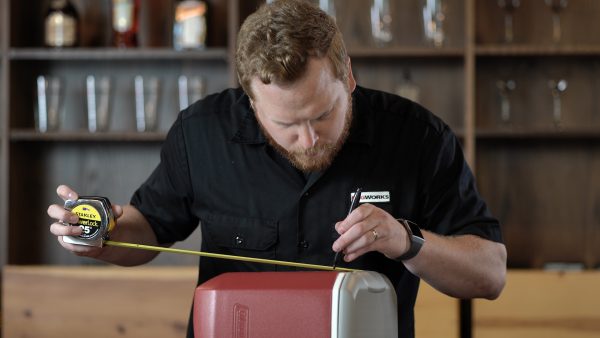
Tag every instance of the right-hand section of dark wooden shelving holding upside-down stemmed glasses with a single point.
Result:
(540, 177)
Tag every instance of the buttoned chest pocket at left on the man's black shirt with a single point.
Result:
(237, 235)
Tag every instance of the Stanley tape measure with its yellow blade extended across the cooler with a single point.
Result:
(97, 220)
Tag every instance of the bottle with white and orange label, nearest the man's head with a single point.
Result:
(189, 28)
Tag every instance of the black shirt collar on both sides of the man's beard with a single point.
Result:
(248, 131)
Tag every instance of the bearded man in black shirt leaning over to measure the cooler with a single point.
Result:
(268, 171)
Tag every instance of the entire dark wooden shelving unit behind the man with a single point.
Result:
(541, 179)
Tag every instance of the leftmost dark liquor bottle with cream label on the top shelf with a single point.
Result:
(61, 26)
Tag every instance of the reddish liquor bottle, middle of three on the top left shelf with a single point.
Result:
(125, 23)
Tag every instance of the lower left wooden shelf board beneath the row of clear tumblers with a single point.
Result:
(28, 135)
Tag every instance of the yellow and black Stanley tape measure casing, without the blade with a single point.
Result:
(95, 219)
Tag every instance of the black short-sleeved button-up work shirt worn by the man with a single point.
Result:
(218, 169)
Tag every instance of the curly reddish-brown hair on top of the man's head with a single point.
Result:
(276, 42)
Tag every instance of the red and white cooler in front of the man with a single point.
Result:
(296, 304)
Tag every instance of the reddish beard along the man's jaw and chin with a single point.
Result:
(318, 157)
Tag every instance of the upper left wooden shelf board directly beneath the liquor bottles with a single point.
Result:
(117, 54)
